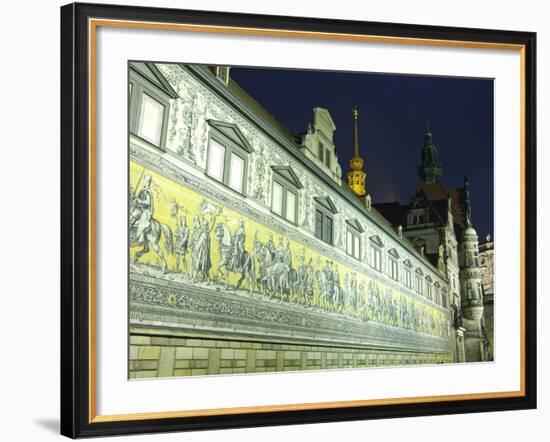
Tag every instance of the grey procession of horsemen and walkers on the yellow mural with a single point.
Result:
(268, 269)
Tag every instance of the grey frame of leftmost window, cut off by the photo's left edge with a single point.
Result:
(139, 85)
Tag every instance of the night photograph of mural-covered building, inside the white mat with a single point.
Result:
(300, 219)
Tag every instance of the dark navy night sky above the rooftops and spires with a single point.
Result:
(393, 110)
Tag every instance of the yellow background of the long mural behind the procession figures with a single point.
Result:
(303, 282)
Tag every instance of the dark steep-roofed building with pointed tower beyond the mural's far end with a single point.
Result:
(438, 220)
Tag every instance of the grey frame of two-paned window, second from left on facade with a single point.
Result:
(231, 148)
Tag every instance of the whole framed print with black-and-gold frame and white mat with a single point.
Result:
(278, 220)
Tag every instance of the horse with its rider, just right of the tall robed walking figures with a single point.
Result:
(245, 266)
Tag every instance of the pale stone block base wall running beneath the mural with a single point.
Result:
(161, 356)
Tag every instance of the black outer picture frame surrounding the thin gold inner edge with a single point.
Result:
(75, 220)
